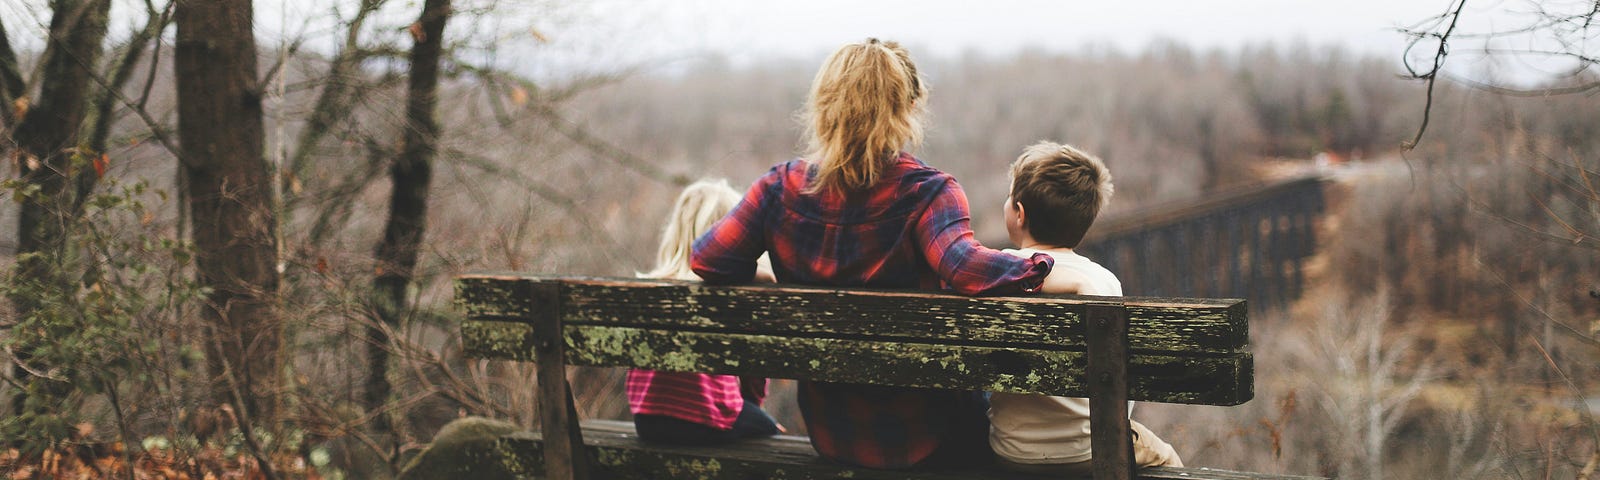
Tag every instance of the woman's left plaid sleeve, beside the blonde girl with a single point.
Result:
(727, 254)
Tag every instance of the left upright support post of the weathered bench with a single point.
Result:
(564, 441)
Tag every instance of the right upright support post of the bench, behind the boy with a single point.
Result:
(1111, 434)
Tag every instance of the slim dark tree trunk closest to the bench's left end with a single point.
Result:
(407, 222)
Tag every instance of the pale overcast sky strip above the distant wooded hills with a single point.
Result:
(751, 31)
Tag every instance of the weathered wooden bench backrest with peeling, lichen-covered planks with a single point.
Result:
(1180, 351)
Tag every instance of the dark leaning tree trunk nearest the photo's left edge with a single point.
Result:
(46, 142)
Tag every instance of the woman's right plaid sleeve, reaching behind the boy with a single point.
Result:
(946, 239)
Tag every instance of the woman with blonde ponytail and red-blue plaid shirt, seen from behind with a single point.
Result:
(858, 210)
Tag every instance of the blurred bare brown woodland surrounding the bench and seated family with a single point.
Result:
(1450, 326)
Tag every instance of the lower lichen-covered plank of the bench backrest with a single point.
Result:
(1156, 378)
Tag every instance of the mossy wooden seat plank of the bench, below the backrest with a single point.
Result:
(617, 454)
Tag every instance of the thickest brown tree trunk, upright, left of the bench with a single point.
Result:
(230, 201)
